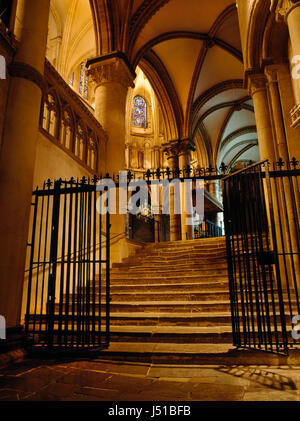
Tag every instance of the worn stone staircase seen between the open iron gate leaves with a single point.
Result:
(171, 298)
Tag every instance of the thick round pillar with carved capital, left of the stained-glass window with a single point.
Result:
(112, 78)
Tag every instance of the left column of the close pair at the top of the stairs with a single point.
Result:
(171, 150)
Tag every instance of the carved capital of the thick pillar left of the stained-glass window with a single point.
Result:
(112, 68)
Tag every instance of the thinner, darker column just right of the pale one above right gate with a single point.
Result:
(277, 117)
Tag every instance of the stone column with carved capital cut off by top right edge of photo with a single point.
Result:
(289, 11)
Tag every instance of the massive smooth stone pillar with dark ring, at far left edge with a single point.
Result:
(17, 159)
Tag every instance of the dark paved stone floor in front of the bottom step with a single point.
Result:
(99, 380)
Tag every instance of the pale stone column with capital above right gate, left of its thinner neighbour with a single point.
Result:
(258, 91)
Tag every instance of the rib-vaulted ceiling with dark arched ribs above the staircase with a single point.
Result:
(191, 53)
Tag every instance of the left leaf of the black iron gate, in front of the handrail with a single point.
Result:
(68, 281)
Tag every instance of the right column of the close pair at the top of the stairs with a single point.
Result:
(187, 231)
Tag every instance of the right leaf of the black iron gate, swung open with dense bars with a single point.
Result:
(261, 210)
